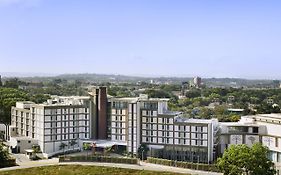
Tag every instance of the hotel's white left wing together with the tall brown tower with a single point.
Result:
(59, 120)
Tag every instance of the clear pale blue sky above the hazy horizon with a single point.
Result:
(208, 38)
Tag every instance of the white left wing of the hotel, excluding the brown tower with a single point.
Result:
(58, 121)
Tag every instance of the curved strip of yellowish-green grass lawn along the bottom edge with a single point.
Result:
(80, 170)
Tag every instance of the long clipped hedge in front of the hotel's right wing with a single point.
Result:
(181, 164)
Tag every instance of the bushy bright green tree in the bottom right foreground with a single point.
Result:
(241, 159)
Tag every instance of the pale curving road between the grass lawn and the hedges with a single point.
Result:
(142, 166)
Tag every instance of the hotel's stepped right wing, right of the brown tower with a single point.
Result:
(146, 120)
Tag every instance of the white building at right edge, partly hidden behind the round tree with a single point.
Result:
(263, 128)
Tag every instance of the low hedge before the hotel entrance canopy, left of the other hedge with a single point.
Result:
(107, 159)
